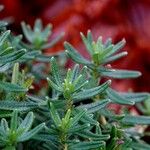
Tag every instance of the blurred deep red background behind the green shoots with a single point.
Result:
(129, 19)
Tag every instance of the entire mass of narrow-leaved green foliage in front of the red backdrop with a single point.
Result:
(72, 111)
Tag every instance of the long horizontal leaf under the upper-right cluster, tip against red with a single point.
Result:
(119, 74)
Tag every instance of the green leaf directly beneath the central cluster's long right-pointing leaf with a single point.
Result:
(95, 106)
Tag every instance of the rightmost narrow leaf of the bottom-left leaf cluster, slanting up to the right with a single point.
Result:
(26, 136)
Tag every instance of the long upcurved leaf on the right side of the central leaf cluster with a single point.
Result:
(88, 93)
